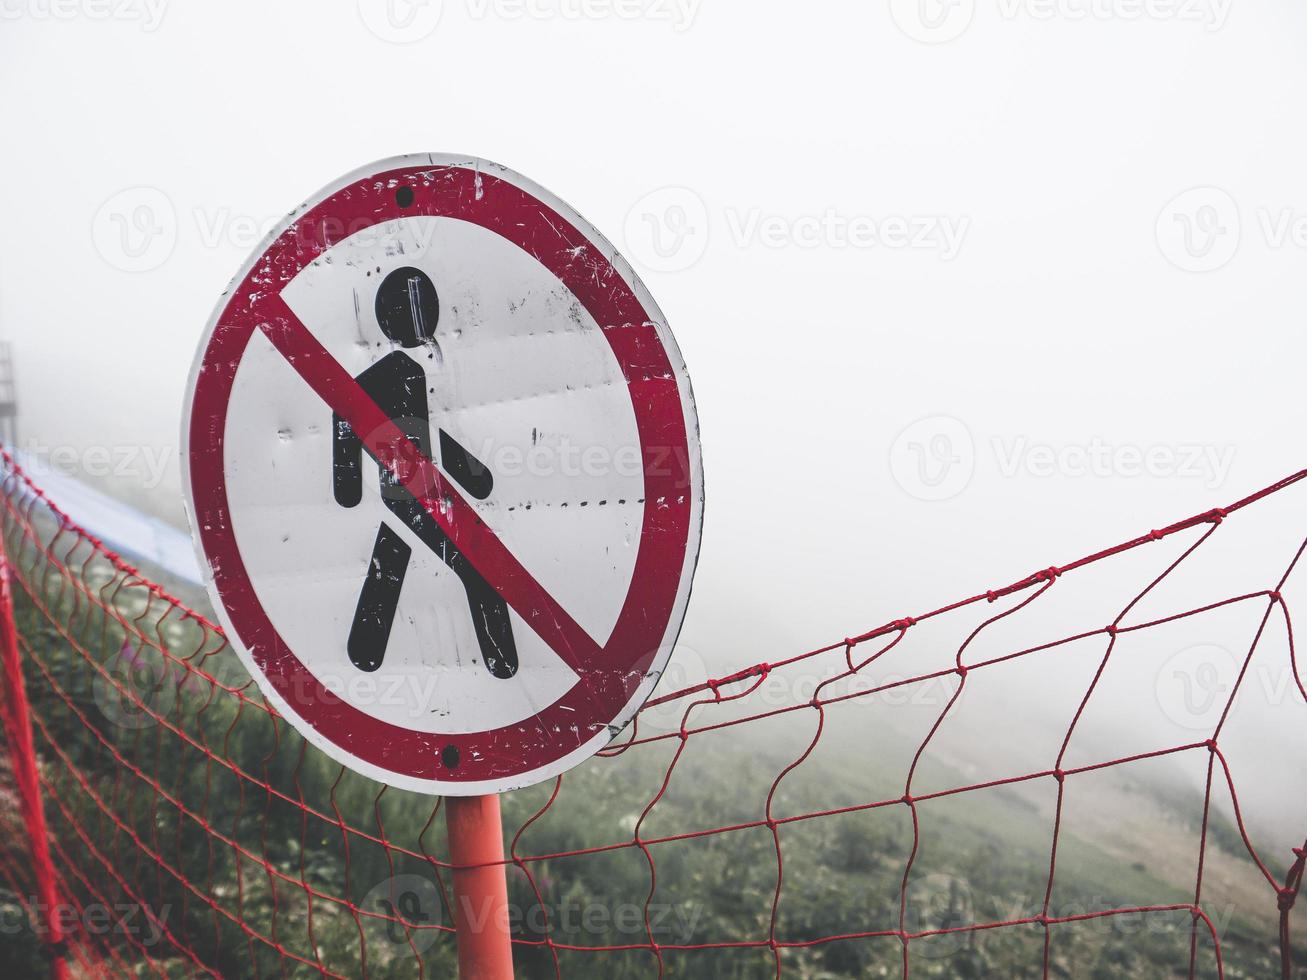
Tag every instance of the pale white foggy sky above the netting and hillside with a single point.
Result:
(1065, 235)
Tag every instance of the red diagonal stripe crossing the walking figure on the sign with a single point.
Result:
(466, 529)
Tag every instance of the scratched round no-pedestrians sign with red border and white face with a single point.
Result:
(442, 465)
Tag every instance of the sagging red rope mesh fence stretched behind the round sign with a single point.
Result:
(194, 833)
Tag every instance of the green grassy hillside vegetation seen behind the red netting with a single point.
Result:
(982, 858)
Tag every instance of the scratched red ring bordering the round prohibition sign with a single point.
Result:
(598, 700)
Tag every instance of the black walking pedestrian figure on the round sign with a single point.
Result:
(407, 310)
